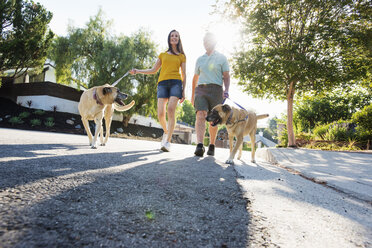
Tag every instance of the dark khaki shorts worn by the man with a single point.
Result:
(207, 96)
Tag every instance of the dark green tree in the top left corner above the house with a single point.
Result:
(24, 35)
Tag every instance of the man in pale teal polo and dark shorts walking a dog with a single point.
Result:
(211, 74)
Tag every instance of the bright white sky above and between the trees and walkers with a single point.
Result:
(192, 18)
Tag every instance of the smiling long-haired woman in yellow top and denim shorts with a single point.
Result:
(171, 84)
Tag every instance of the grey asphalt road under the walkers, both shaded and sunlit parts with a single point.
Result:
(56, 191)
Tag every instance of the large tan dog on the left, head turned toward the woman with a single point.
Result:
(99, 102)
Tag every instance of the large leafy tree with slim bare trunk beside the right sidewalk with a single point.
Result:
(293, 47)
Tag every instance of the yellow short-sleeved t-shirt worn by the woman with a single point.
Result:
(170, 66)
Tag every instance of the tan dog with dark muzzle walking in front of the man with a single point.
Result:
(239, 123)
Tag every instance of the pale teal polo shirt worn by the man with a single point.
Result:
(210, 68)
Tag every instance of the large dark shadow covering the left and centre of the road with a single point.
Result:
(129, 199)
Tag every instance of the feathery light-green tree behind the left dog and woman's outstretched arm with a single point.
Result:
(92, 56)
